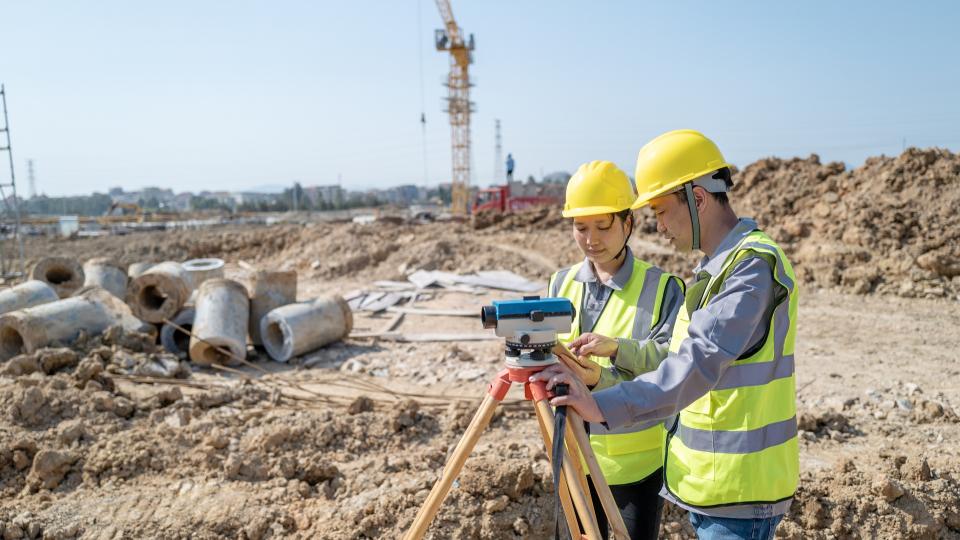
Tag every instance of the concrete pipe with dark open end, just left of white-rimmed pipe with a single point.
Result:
(160, 292)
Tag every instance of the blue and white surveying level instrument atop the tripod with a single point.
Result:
(529, 327)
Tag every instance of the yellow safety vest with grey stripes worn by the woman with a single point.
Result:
(633, 452)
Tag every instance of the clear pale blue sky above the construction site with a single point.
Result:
(244, 95)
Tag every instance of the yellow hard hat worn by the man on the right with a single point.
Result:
(673, 159)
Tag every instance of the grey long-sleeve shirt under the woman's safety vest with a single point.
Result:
(634, 355)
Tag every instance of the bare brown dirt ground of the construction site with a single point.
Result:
(346, 441)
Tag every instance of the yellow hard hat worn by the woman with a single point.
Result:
(598, 187)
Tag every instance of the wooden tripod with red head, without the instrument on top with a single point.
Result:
(574, 492)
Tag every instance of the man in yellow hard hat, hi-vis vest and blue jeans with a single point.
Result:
(731, 456)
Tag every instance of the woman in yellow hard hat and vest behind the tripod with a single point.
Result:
(625, 314)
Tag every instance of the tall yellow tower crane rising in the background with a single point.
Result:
(450, 38)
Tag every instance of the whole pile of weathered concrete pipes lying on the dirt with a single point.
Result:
(213, 318)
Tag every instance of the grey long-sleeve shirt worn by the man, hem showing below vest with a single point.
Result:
(732, 322)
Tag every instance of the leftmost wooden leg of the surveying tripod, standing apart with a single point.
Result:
(452, 469)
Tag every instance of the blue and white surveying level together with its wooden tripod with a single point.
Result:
(529, 328)
